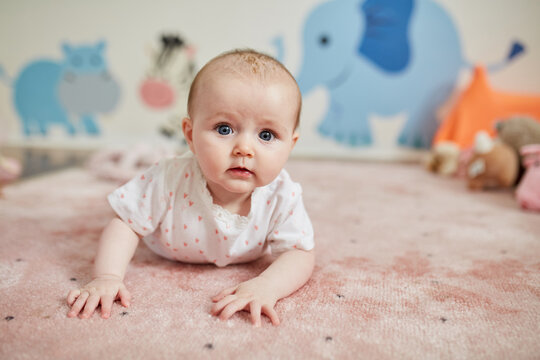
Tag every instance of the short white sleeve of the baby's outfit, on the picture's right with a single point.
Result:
(292, 228)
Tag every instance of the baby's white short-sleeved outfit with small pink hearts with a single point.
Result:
(171, 207)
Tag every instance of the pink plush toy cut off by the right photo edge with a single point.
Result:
(528, 190)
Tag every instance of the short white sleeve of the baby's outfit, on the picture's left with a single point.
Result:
(142, 202)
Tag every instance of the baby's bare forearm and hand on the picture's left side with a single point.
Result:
(116, 248)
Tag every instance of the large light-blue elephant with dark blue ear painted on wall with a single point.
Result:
(382, 57)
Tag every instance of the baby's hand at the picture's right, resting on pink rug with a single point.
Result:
(255, 296)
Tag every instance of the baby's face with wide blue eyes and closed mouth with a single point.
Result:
(242, 131)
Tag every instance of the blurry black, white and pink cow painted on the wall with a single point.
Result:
(168, 80)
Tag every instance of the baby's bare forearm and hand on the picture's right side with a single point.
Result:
(289, 272)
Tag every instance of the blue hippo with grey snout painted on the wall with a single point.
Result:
(48, 92)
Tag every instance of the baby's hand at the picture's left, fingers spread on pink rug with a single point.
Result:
(103, 289)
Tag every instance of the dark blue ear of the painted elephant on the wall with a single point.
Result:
(385, 41)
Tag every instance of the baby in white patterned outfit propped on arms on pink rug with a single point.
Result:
(227, 201)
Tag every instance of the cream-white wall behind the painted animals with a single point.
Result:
(31, 30)
